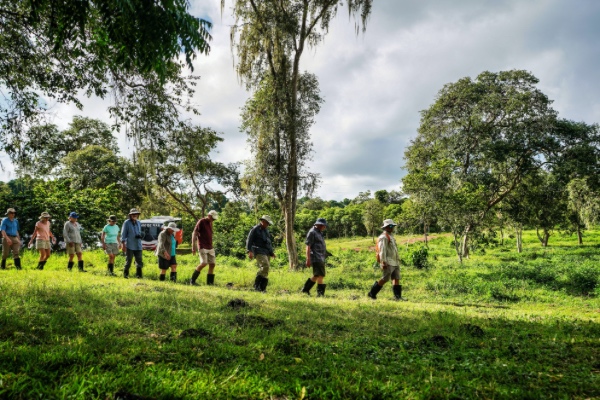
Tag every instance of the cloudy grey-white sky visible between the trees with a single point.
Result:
(375, 84)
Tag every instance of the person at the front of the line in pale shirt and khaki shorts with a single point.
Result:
(389, 259)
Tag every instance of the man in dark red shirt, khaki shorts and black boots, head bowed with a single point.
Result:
(202, 241)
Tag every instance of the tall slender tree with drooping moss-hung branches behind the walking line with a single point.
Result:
(270, 38)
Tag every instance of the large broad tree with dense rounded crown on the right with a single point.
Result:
(483, 135)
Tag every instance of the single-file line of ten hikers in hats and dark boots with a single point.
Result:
(258, 245)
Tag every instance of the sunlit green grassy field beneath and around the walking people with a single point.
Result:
(502, 325)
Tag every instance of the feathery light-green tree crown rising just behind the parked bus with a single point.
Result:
(183, 169)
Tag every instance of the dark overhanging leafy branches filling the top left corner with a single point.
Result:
(128, 49)
